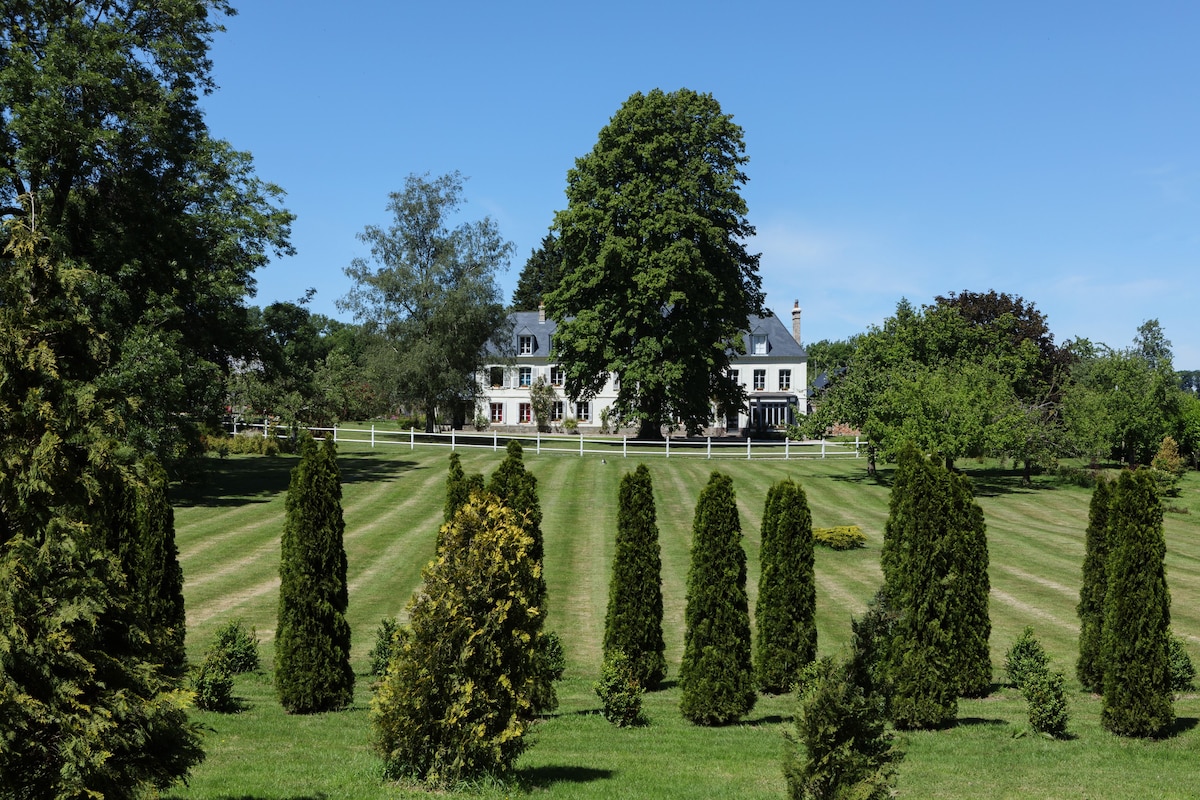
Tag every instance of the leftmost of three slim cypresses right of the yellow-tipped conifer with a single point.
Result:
(634, 621)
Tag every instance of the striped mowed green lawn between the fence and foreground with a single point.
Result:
(229, 532)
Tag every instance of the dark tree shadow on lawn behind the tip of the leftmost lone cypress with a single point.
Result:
(259, 479)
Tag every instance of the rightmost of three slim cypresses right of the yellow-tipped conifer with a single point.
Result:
(787, 609)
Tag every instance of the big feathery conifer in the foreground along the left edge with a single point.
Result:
(87, 709)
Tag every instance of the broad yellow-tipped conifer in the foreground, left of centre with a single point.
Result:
(459, 696)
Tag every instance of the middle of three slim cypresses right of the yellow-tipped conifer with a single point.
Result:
(717, 676)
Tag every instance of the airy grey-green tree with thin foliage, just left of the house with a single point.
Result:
(429, 293)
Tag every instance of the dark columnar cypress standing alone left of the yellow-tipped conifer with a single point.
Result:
(313, 642)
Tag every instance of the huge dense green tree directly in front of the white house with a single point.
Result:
(658, 281)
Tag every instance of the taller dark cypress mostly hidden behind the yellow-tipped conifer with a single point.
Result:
(518, 490)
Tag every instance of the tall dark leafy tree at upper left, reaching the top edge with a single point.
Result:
(101, 130)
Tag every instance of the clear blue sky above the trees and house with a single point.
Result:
(897, 149)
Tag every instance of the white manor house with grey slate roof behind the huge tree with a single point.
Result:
(773, 372)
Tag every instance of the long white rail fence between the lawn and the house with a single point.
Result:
(578, 444)
